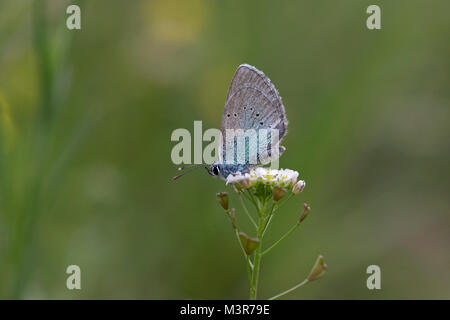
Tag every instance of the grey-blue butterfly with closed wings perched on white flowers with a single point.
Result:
(252, 103)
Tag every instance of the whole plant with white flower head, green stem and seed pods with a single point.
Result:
(264, 188)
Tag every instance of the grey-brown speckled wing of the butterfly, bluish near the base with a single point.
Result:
(253, 102)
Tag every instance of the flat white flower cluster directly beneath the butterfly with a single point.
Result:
(283, 178)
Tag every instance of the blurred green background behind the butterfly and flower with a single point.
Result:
(86, 118)
